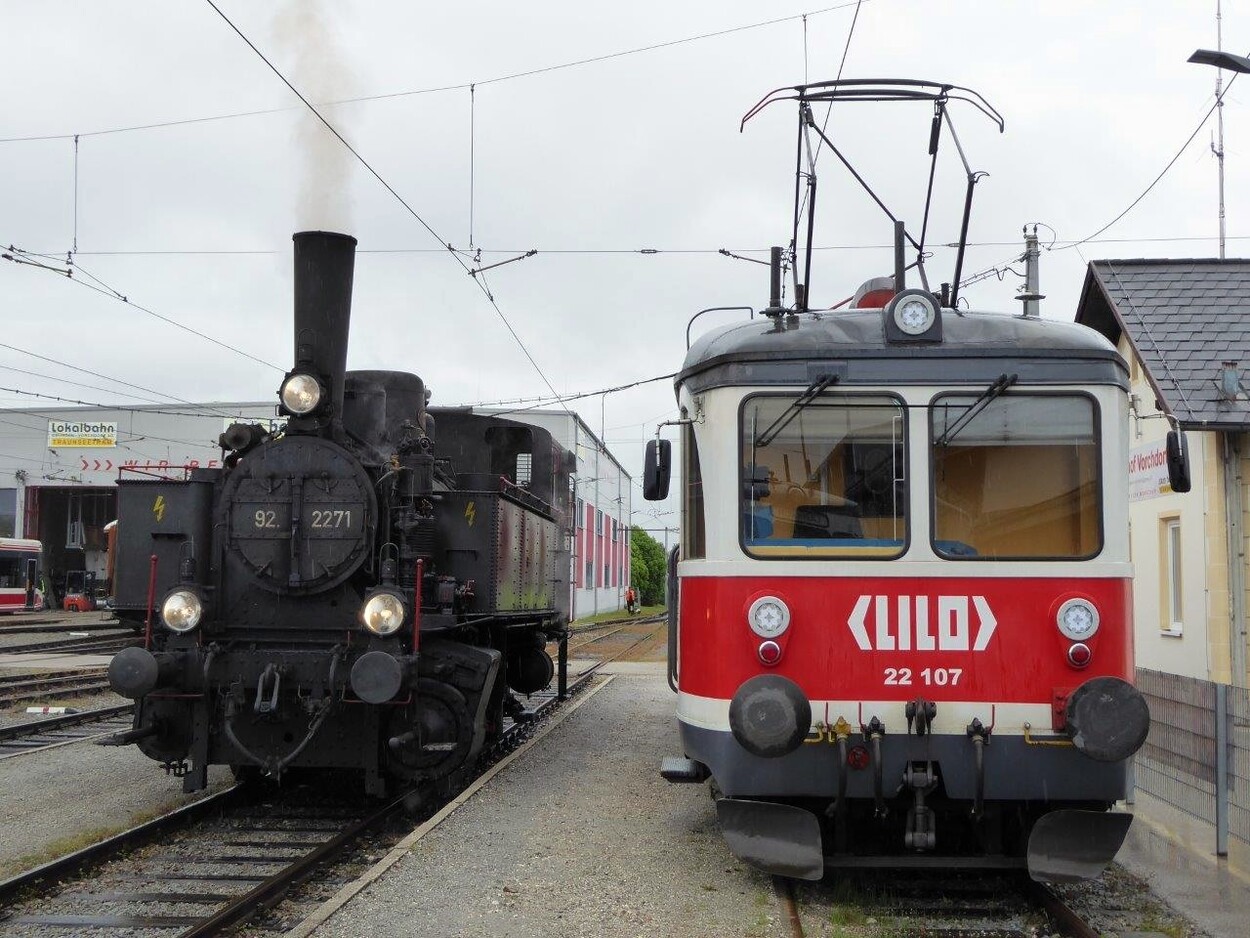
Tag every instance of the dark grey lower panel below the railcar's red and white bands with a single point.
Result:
(1014, 771)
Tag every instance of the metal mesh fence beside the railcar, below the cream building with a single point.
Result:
(1198, 755)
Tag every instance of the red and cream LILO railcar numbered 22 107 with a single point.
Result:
(906, 626)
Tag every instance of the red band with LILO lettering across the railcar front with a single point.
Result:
(889, 638)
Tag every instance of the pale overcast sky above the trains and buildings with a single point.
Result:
(588, 164)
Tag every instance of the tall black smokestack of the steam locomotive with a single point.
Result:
(324, 263)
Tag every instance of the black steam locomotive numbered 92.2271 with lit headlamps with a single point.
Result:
(367, 588)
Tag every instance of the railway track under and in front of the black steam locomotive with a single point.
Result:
(227, 859)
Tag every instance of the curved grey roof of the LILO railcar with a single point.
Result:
(977, 347)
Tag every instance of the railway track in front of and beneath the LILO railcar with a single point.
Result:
(936, 905)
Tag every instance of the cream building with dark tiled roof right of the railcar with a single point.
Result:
(1184, 328)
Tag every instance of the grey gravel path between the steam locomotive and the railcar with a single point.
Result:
(581, 837)
